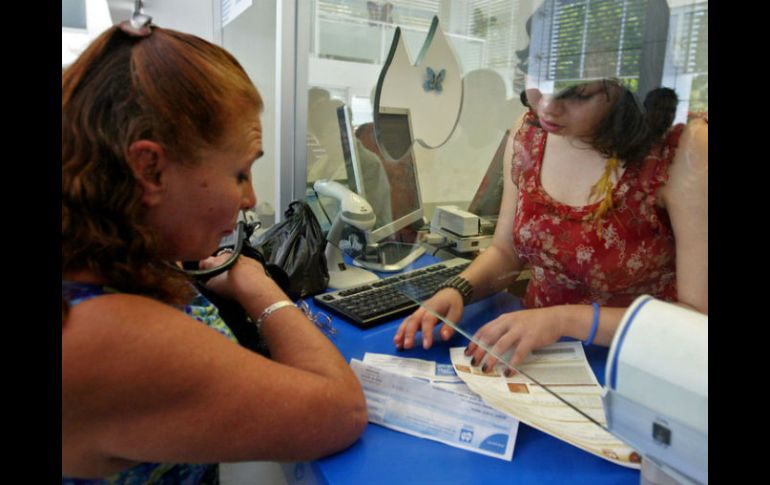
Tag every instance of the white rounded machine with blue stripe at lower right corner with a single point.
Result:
(656, 390)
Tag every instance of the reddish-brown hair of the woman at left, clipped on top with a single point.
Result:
(173, 88)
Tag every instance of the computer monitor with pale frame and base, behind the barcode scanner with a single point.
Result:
(390, 186)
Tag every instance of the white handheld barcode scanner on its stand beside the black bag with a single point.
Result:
(357, 212)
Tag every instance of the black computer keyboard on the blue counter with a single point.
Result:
(372, 304)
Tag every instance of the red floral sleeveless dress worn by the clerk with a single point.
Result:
(570, 262)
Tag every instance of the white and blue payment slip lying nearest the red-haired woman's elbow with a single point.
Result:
(446, 412)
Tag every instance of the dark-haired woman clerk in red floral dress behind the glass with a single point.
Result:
(592, 247)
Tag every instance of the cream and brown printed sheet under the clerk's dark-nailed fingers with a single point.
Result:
(563, 368)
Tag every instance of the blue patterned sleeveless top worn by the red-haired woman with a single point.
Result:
(200, 309)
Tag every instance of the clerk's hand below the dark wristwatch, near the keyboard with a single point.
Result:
(448, 303)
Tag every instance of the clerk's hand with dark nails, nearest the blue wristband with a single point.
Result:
(523, 330)
